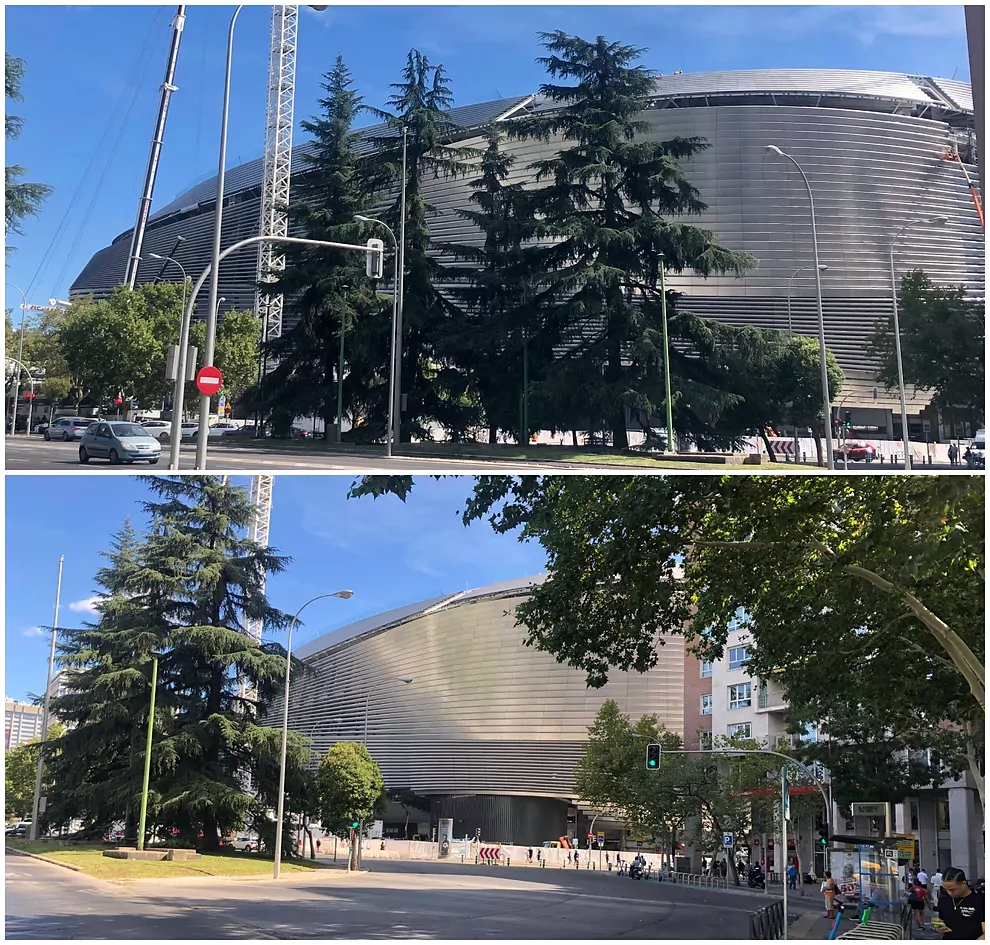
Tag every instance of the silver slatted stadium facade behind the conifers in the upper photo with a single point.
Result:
(871, 143)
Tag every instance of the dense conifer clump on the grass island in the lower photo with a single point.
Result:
(186, 590)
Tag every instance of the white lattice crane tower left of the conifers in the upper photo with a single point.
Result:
(278, 163)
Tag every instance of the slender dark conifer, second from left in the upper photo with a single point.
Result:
(435, 386)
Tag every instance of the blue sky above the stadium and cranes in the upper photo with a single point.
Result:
(90, 66)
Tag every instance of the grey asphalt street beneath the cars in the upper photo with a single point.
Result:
(23, 454)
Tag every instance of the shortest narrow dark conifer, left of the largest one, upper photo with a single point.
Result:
(497, 293)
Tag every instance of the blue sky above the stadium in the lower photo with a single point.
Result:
(387, 552)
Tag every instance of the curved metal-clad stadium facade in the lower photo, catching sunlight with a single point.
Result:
(484, 714)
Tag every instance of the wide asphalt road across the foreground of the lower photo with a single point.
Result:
(397, 899)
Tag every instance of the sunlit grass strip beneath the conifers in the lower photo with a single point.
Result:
(92, 862)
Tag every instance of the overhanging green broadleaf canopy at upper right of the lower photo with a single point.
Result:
(839, 581)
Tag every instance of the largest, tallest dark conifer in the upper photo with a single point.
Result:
(605, 209)
